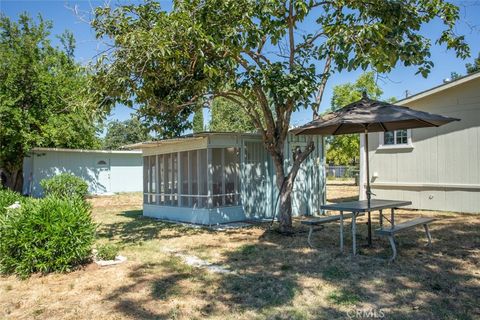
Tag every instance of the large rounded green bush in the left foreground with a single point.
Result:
(46, 235)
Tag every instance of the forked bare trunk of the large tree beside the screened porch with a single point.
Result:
(285, 185)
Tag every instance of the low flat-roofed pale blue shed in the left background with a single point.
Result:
(105, 171)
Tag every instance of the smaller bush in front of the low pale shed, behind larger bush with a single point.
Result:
(65, 185)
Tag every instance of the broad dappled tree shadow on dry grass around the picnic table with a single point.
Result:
(269, 273)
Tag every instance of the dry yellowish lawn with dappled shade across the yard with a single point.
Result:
(272, 276)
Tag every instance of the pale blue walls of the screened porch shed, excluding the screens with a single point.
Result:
(257, 180)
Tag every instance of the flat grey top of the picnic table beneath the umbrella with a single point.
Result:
(362, 205)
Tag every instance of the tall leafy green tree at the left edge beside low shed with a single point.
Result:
(41, 95)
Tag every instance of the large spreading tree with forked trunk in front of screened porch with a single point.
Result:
(270, 57)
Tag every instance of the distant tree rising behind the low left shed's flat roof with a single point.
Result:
(121, 133)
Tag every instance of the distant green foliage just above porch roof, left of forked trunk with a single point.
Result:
(228, 117)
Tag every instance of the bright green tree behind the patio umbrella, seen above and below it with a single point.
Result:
(344, 149)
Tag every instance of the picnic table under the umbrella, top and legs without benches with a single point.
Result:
(361, 207)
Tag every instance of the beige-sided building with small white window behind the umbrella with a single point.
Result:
(435, 168)
